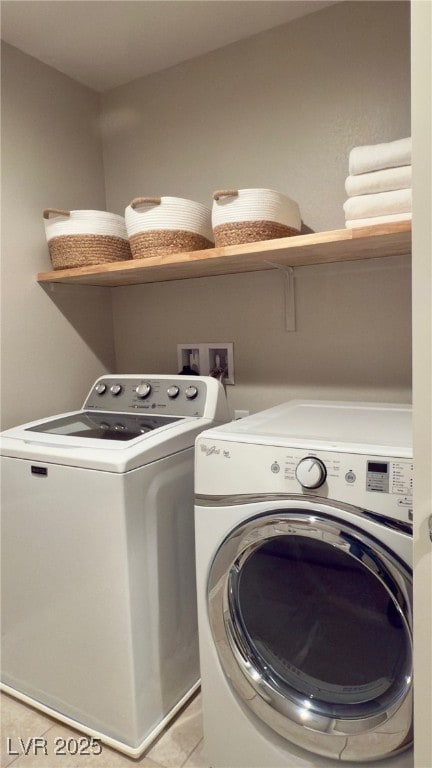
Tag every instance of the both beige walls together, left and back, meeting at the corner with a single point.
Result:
(282, 110)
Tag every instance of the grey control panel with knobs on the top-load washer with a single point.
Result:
(176, 396)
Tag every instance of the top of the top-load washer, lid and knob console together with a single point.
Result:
(127, 421)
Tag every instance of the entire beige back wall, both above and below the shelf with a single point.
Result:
(279, 110)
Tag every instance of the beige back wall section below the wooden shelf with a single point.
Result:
(352, 339)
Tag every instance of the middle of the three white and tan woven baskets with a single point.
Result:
(160, 225)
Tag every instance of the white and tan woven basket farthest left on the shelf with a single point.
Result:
(85, 238)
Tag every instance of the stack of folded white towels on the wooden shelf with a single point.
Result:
(379, 184)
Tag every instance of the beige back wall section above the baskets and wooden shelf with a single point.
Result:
(280, 110)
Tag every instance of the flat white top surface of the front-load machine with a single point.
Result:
(355, 427)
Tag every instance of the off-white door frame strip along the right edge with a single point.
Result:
(422, 376)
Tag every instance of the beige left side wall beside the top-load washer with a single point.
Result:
(54, 342)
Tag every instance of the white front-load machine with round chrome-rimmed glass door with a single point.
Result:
(303, 527)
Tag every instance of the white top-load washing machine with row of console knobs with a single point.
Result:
(99, 624)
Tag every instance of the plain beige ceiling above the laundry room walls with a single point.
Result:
(106, 43)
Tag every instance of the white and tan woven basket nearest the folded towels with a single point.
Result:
(247, 215)
